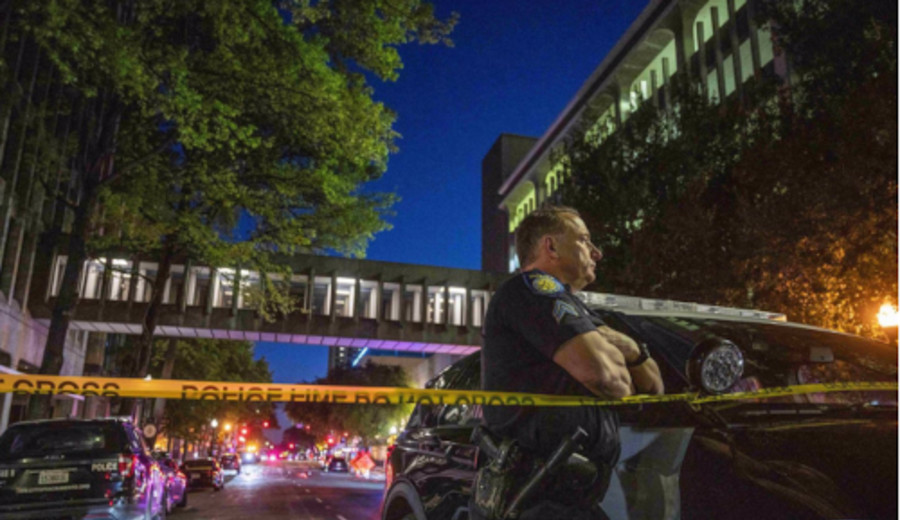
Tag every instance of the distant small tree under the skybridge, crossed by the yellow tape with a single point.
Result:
(366, 421)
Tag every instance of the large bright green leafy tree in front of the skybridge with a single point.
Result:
(258, 109)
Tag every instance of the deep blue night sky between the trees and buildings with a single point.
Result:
(514, 67)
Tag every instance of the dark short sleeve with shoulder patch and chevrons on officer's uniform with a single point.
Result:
(543, 315)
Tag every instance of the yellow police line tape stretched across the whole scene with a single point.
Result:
(240, 391)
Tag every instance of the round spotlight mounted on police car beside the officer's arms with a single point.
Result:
(715, 365)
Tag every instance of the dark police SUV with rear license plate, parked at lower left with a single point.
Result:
(73, 468)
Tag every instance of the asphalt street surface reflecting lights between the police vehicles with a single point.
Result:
(278, 490)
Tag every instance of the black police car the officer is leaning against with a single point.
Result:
(819, 455)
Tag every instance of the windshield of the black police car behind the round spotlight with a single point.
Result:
(778, 354)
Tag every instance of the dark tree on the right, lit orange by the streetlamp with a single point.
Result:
(787, 202)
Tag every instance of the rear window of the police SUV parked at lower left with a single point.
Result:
(60, 438)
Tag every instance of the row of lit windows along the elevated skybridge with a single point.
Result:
(412, 302)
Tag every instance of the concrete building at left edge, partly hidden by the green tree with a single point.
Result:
(27, 214)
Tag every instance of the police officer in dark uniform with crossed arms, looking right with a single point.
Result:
(540, 338)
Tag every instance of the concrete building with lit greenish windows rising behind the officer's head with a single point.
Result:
(717, 43)
